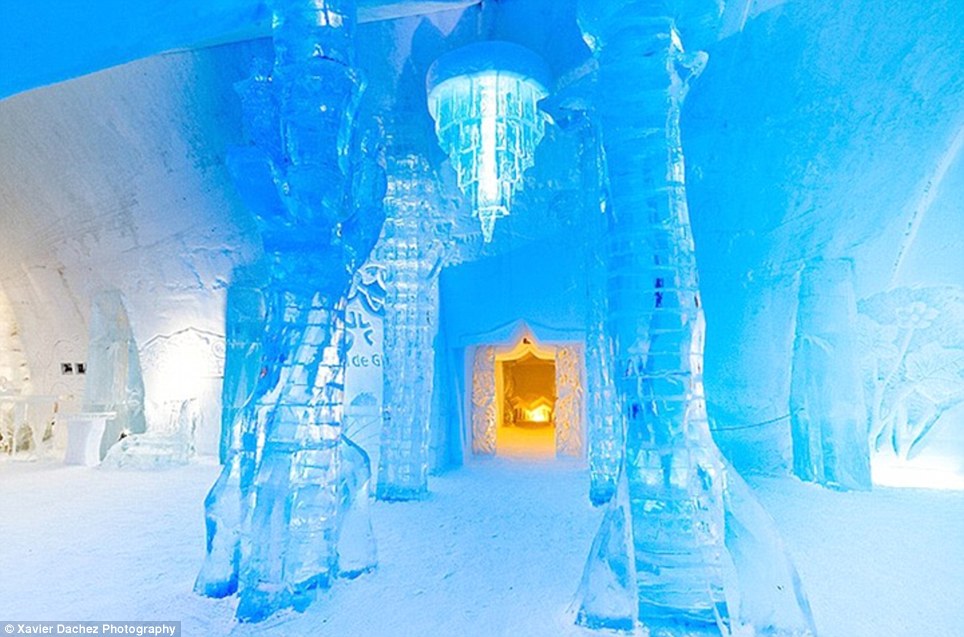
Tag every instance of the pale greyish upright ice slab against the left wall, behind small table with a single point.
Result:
(113, 382)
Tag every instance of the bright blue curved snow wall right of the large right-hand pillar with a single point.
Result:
(799, 142)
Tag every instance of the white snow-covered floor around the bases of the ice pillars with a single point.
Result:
(497, 550)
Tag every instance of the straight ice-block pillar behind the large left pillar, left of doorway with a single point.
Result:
(411, 253)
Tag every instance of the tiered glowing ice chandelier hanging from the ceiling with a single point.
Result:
(483, 98)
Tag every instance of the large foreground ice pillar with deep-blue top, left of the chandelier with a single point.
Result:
(287, 514)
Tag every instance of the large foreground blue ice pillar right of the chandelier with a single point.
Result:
(660, 558)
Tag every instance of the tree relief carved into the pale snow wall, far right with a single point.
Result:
(913, 344)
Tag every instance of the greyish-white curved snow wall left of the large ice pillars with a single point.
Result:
(142, 205)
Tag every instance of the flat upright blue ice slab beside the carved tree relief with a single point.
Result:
(827, 408)
